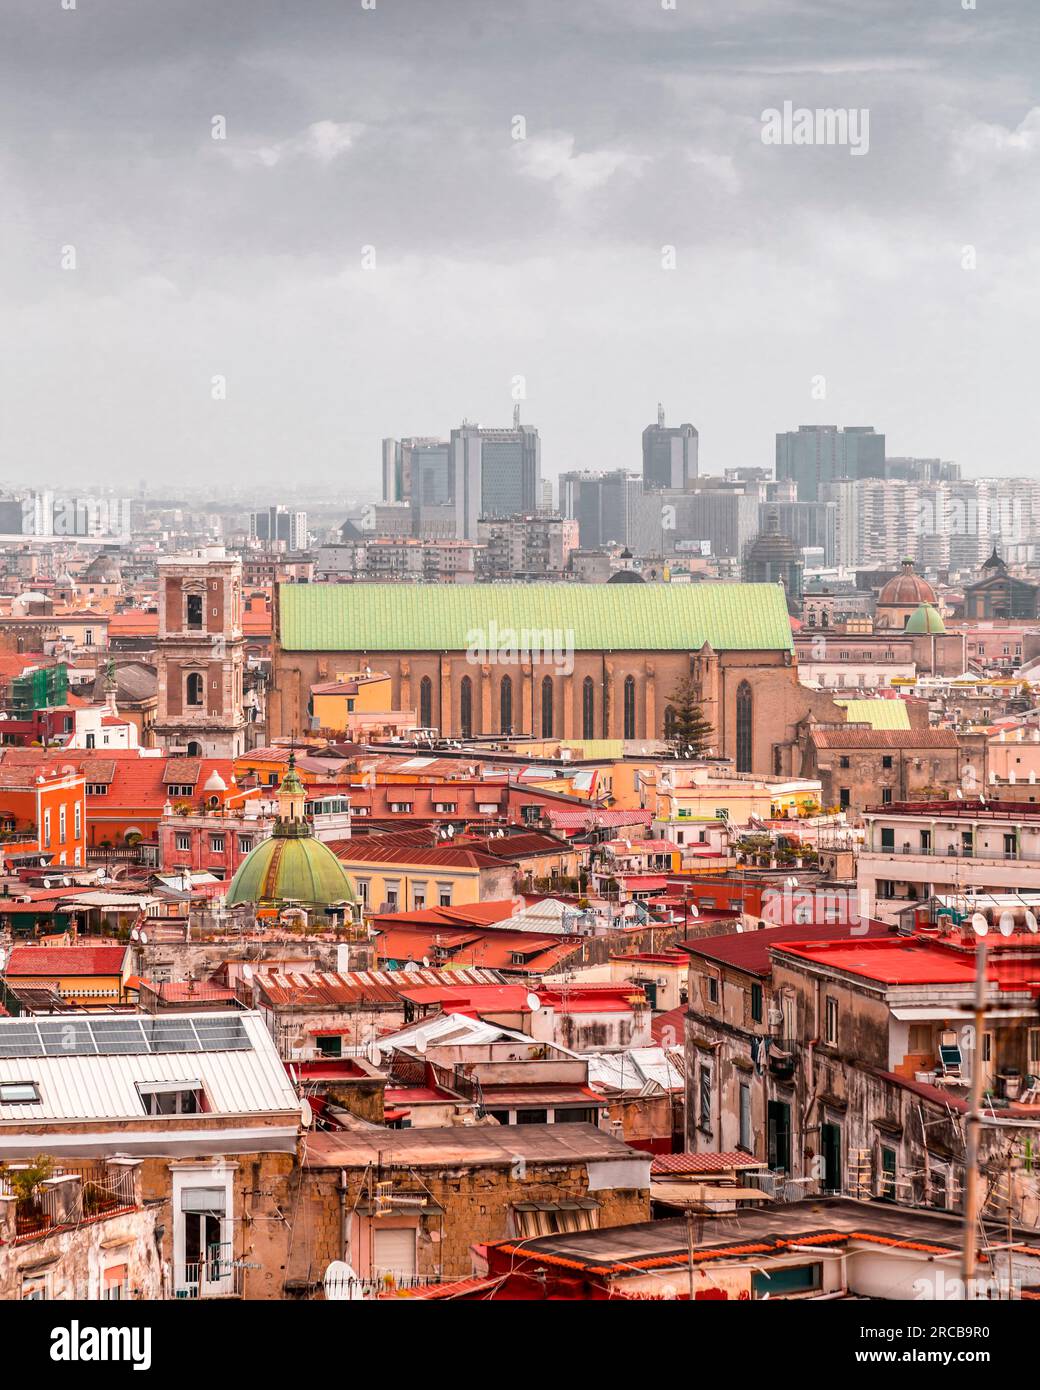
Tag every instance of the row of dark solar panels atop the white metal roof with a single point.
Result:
(127, 1036)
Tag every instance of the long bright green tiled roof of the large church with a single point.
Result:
(418, 618)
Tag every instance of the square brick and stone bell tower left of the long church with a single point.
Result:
(201, 655)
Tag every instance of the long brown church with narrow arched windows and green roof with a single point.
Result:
(555, 661)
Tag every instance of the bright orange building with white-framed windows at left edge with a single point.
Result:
(44, 811)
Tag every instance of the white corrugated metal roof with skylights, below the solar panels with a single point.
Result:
(240, 1082)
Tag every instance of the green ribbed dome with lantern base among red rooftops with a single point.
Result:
(291, 867)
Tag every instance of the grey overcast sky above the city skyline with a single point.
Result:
(500, 258)
